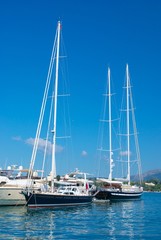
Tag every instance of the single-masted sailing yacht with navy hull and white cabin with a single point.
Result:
(50, 196)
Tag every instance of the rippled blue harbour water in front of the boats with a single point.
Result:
(139, 219)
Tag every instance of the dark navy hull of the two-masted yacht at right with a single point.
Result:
(118, 196)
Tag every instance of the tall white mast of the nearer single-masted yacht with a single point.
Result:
(55, 105)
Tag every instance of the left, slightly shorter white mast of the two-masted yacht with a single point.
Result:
(110, 126)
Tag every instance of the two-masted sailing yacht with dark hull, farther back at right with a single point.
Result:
(121, 188)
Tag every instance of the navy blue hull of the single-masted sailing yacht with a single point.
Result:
(40, 200)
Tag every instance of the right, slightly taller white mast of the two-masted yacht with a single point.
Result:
(127, 119)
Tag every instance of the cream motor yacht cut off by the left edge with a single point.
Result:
(12, 181)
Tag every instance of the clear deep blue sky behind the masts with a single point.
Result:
(97, 34)
